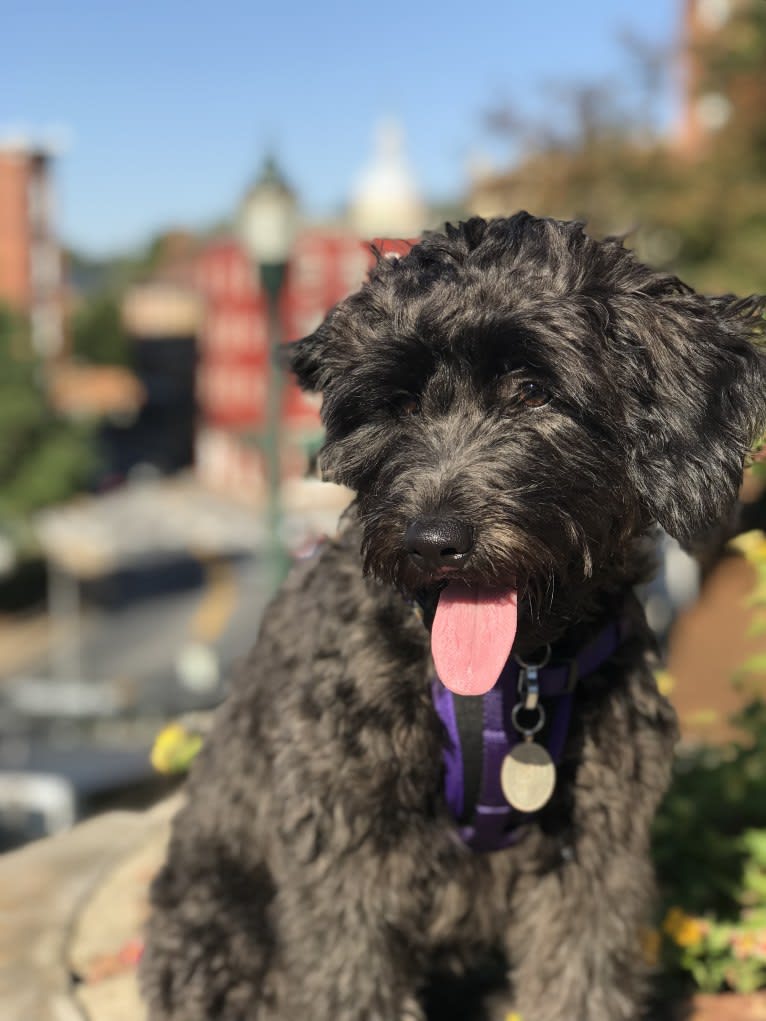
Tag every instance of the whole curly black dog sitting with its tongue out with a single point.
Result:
(515, 406)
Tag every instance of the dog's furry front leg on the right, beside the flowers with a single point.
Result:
(574, 939)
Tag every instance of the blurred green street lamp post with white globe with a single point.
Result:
(268, 224)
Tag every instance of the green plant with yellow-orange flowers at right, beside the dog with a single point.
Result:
(710, 839)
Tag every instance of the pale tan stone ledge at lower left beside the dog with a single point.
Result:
(72, 905)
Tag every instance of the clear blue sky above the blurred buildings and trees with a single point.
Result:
(167, 108)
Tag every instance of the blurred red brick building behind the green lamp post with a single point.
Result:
(326, 266)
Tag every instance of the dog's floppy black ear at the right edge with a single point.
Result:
(701, 408)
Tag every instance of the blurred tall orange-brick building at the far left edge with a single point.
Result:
(30, 256)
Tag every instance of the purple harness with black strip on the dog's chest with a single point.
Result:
(482, 734)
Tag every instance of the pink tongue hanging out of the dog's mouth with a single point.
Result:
(471, 639)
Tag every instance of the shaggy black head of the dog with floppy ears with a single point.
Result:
(515, 403)
